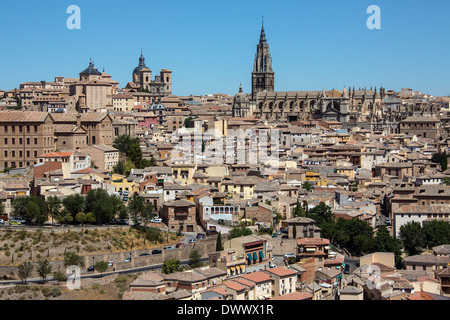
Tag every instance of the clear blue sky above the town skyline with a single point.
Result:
(210, 45)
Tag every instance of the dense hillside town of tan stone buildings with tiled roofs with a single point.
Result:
(334, 194)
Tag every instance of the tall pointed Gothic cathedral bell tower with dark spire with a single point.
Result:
(263, 77)
